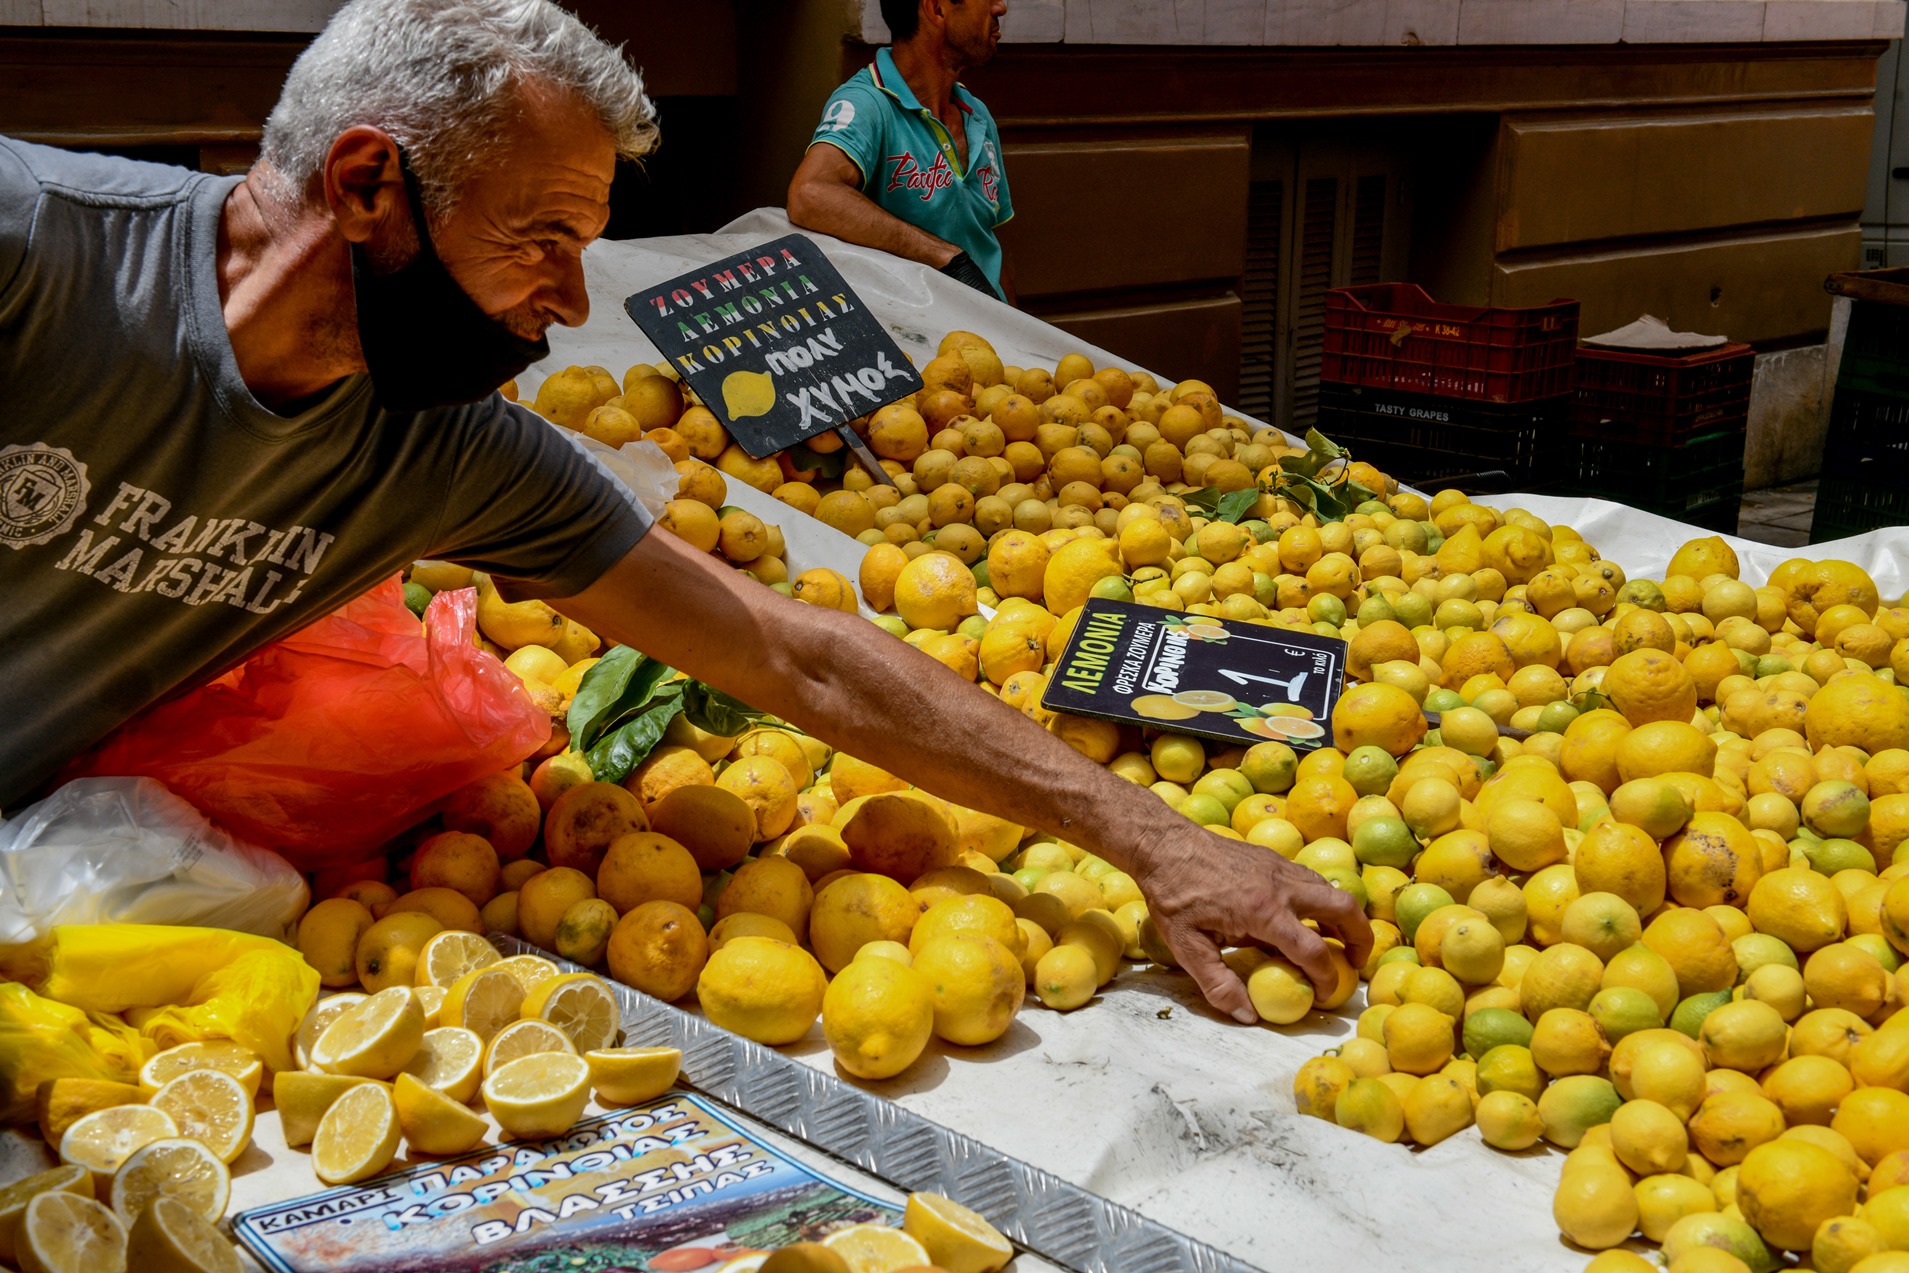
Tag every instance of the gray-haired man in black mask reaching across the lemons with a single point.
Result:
(234, 406)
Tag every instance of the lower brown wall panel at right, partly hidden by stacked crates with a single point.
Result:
(1759, 289)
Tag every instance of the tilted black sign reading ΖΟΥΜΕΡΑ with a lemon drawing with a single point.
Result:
(776, 344)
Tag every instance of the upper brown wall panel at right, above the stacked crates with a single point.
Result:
(1593, 180)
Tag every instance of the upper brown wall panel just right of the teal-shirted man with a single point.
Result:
(1095, 217)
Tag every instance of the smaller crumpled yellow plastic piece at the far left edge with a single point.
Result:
(41, 1039)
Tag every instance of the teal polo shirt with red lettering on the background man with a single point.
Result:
(910, 165)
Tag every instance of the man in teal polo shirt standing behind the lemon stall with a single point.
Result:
(910, 161)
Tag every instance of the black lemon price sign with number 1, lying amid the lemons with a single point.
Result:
(1194, 675)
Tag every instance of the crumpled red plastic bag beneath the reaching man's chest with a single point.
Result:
(341, 736)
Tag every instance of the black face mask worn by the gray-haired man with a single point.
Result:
(427, 343)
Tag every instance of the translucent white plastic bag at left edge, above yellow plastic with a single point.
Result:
(131, 852)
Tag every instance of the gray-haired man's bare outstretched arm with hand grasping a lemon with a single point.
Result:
(864, 692)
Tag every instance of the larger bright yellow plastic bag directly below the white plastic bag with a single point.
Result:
(184, 984)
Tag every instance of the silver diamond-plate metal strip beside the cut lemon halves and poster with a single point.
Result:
(1039, 1211)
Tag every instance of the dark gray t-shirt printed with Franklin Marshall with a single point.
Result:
(157, 524)
